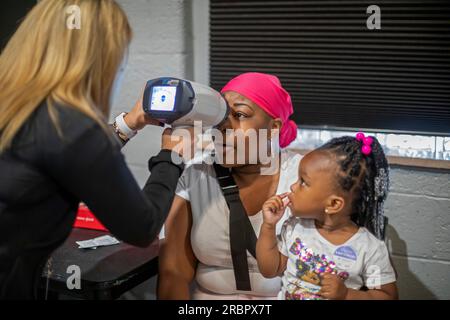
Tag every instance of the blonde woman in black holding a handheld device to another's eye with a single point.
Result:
(56, 148)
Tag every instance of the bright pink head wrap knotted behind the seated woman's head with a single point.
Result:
(266, 91)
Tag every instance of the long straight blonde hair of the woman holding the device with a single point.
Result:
(45, 60)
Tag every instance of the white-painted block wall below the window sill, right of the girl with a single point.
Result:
(418, 234)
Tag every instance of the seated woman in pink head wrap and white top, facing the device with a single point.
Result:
(197, 236)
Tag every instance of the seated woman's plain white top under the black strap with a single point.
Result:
(210, 228)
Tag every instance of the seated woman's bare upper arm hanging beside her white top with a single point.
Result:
(177, 263)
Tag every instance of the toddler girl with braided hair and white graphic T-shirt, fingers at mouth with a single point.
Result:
(332, 245)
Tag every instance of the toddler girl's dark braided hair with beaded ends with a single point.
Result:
(366, 177)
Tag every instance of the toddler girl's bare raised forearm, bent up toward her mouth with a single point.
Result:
(271, 262)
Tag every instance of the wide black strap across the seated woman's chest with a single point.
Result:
(242, 234)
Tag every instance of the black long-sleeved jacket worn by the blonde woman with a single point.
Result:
(44, 176)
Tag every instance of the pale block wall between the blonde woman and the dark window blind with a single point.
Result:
(160, 47)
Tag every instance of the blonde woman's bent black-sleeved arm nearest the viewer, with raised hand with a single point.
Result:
(89, 167)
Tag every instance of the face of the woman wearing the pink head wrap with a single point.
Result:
(246, 119)
